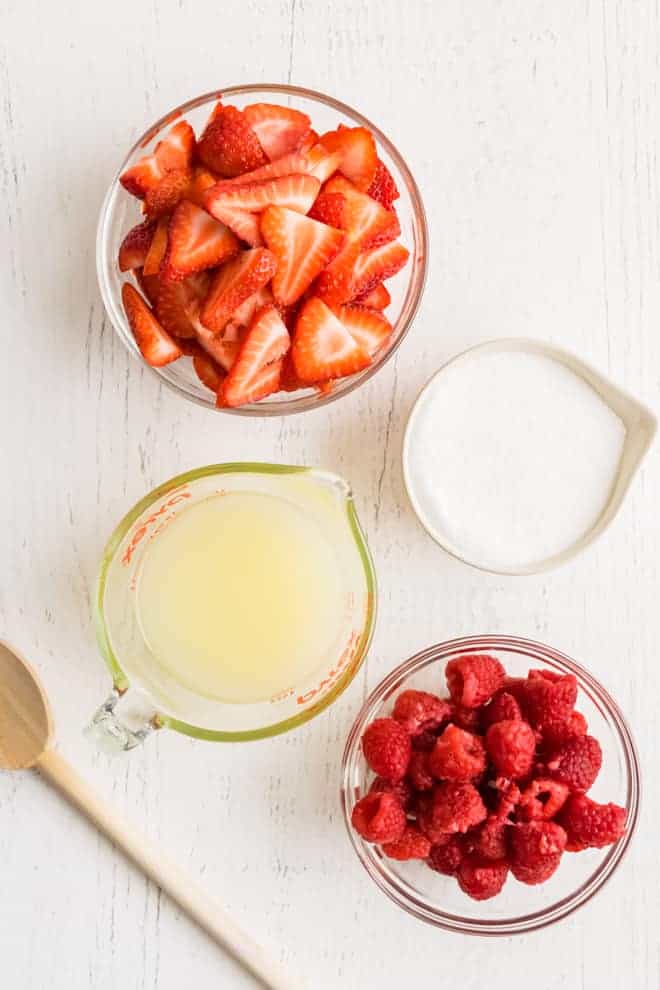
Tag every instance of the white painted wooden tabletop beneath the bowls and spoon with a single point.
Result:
(532, 129)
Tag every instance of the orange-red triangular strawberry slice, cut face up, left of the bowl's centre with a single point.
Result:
(196, 241)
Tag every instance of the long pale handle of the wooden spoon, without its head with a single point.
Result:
(180, 887)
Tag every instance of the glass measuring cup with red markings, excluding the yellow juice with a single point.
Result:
(145, 693)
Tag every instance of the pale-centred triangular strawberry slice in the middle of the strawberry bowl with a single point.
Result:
(303, 248)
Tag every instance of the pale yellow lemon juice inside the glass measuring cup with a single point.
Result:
(240, 597)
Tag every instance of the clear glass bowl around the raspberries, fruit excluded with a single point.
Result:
(437, 899)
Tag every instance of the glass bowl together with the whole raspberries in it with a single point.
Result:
(490, 785)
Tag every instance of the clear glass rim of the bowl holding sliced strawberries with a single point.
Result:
(419, 258)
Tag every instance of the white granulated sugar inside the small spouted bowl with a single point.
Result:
(511, 457)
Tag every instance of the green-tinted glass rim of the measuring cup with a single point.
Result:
(120, 680)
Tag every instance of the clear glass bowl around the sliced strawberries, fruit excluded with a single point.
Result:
(120, 212)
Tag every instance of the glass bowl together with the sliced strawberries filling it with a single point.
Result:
(263, 249)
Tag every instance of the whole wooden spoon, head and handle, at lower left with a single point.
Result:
(26, 735)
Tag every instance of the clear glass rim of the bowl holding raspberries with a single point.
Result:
(403, 894)
